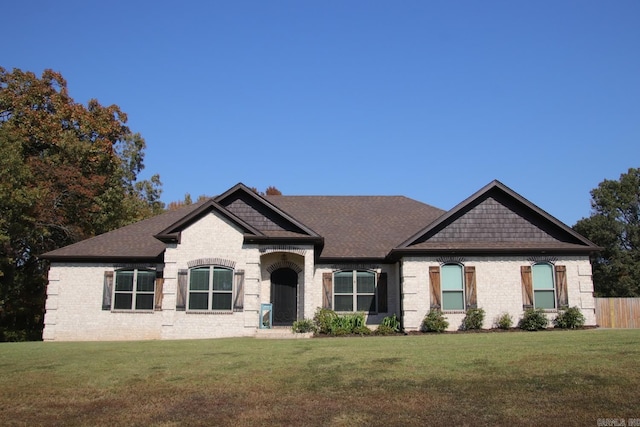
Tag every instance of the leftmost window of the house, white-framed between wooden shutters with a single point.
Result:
(134, 290)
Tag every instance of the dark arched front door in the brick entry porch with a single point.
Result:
(284, 284)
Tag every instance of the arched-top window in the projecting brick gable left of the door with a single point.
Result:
(210, 288)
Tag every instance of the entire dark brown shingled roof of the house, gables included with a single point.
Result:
(495, 219)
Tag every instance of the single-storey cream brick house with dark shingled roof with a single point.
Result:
(210, 269)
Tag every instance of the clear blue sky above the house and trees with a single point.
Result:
(428, 99)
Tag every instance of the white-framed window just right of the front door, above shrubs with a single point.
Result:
(355, 289)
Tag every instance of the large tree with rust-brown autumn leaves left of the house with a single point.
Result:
(67, 172)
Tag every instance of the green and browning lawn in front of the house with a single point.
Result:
(522, 378)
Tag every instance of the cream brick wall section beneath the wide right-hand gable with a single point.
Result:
(498, 286)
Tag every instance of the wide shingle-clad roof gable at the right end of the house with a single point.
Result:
(497, 218)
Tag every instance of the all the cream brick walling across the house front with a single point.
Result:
(74, 300)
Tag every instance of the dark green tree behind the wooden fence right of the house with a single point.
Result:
(614, 224)
